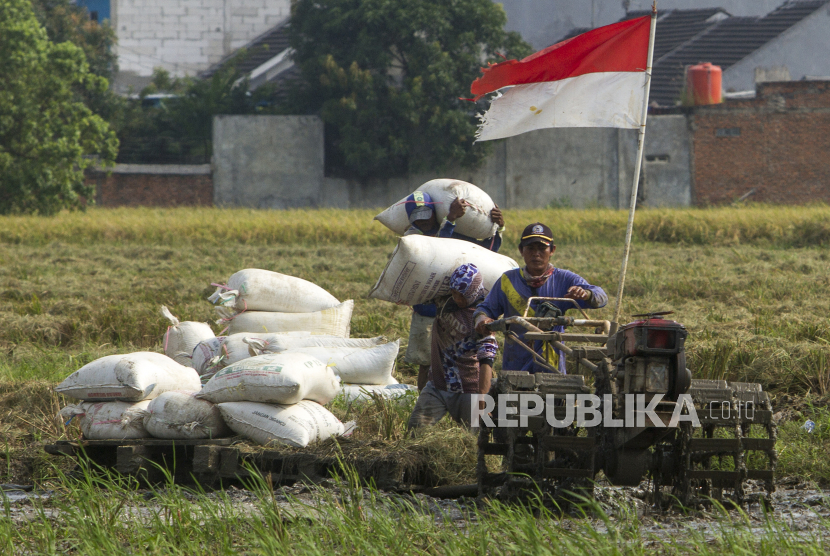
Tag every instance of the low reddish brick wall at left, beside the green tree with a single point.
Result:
(155, 186)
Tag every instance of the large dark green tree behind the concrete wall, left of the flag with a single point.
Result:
(385, 77)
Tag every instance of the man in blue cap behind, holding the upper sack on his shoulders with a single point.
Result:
(420, 208)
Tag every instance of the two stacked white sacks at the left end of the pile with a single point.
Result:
(127, 383)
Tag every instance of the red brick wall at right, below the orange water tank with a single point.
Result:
(777, 144)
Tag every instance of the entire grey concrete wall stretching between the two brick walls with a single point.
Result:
(277, 162)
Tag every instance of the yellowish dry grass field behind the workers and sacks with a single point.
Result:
(752, 285)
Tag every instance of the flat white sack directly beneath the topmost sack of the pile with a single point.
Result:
(335, 321)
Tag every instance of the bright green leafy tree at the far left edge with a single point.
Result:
(48, 136)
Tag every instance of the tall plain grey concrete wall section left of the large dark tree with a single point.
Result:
(268, 161)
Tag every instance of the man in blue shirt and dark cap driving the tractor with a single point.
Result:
(538, 278)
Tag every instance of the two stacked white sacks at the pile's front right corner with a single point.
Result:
(277, 398)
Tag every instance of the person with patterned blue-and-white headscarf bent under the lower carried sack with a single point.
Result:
(461, 360)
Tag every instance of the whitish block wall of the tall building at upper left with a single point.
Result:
(187, 36)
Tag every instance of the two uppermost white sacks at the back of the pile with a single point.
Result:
(258, 301)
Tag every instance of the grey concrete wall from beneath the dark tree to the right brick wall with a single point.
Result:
(558, 167)
